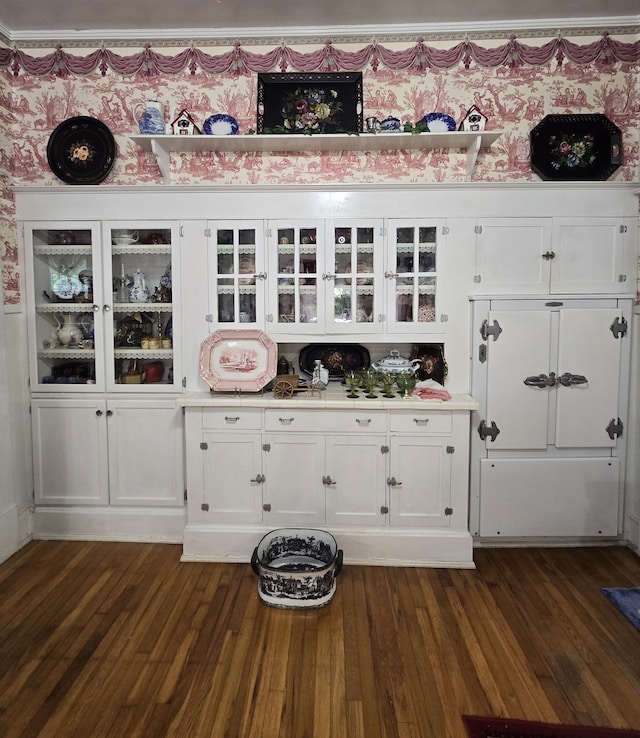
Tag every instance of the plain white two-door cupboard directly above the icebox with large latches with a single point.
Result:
(519, 256)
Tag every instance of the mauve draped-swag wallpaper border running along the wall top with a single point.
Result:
(328, 58)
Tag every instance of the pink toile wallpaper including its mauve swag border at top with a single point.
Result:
(512, 82)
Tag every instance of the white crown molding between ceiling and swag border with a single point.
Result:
(614, 25)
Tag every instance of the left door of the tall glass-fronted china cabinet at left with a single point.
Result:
(65, 319)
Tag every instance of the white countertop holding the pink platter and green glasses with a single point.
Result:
(334, 397)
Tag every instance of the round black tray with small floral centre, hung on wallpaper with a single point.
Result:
(81, 150)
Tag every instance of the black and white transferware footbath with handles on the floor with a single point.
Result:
(297, 568)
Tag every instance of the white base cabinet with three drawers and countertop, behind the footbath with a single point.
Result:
(391, 483)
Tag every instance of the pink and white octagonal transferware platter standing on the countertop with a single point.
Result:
(236, 359)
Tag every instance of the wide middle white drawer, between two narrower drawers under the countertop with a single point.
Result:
(338, 421)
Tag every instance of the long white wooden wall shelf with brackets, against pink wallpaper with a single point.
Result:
(162, 146)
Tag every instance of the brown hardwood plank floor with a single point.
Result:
(123, 640)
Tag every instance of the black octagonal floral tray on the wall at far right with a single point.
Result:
(576, 147)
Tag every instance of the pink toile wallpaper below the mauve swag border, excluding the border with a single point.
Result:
(514, 98)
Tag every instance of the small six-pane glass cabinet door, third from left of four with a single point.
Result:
(353, 273)
